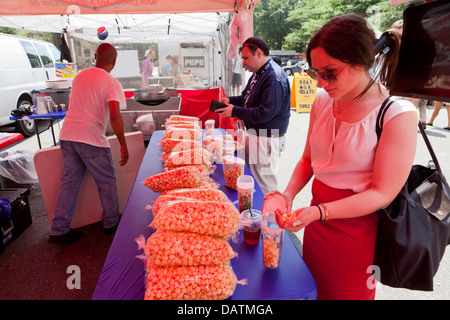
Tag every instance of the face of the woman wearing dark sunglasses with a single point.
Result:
(346, 78)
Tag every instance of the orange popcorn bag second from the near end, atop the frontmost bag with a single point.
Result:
(171, 248)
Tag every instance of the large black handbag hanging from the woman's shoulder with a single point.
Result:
(414, 230)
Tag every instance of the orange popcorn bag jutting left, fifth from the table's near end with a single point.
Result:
(183, 177)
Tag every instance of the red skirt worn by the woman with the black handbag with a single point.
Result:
(340, 252)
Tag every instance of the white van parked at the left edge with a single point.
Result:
(25, 65)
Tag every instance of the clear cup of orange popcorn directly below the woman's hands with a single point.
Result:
(272, 236)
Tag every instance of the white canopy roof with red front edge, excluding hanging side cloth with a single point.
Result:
(141, 20)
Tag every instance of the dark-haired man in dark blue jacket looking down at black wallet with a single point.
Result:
(264, 106)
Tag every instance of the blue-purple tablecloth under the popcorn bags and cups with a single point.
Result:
(123, 275)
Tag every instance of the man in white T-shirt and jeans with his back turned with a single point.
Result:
(95, 98)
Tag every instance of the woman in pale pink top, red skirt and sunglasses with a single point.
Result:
(354, 174)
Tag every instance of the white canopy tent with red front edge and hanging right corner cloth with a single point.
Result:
(141, 21)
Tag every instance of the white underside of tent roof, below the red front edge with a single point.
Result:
(126, 28)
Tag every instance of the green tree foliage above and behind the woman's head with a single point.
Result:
(289, 24)
